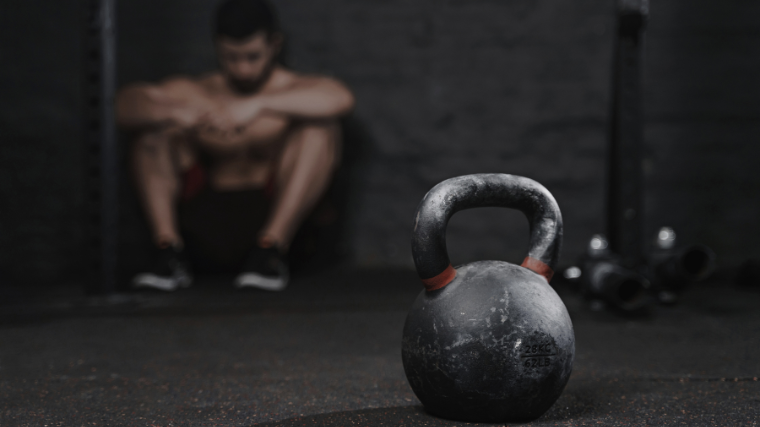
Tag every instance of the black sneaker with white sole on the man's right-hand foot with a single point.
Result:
(264, 269)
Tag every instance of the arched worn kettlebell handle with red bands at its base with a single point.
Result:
(484, 190)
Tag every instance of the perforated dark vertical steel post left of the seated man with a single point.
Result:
(102, 156)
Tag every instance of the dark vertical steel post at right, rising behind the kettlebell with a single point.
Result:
(624, 177)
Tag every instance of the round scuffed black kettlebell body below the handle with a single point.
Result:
(496, 344)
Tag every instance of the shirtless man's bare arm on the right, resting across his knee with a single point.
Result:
(310, 98)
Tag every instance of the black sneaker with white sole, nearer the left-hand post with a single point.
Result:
(169, 273)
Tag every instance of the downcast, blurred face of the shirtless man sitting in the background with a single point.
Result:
(246, 63)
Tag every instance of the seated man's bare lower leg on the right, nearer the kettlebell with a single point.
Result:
(310, 155)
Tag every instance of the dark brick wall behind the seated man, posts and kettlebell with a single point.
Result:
(444, 88)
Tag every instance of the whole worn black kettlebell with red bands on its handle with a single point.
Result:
(488, 341)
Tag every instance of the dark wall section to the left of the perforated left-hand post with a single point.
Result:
(41, 171)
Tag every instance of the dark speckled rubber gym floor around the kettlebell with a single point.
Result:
(326, 352)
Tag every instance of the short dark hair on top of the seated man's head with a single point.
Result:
(240, 19)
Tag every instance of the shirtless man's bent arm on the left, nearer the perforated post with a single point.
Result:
(145, 106)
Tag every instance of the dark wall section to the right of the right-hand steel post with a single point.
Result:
(702, 102)
